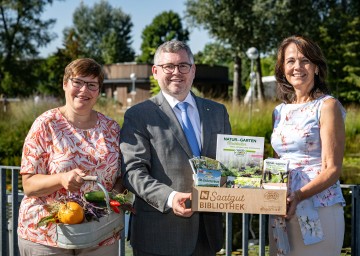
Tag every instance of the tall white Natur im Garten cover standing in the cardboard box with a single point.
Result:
(243, 156)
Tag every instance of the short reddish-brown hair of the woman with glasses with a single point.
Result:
(84, 67)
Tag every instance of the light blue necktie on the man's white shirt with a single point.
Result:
(188, 129)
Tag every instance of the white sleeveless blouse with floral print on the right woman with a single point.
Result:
(296, 137)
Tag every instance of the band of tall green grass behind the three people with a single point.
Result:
(245, 120)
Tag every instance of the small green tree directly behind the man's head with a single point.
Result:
(164, 27)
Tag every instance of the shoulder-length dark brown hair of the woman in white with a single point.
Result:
(310, 50)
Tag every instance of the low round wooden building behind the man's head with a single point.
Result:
(129, 83)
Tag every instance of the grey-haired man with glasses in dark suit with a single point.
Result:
(156, 155)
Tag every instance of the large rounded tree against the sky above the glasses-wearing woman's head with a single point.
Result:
(102, 33)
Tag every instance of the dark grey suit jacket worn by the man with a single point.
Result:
(155, 163)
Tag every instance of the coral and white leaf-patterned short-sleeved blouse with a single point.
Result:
(53, 146)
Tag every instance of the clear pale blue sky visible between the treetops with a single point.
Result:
(142, 13)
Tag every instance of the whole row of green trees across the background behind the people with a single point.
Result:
(233, 25)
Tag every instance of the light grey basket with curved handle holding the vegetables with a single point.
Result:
(90, 234)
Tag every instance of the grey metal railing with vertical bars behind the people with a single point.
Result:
(10, 206)
